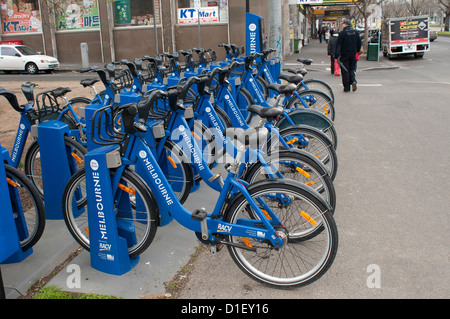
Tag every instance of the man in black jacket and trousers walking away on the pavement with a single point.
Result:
(348, 44)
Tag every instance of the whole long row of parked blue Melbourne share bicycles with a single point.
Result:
(160, 127)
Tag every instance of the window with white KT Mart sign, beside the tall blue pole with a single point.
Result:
(209, 11)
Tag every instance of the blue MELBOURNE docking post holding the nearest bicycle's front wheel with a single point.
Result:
(109, 238)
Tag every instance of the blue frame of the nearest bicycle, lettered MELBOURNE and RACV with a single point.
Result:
(138, 154)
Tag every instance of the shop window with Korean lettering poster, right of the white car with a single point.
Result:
(76, 15)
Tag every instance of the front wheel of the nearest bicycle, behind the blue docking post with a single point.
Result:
(135, 209)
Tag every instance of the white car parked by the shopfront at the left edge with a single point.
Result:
(23, 58)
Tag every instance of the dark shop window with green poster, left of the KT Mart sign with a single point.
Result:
(136, 12)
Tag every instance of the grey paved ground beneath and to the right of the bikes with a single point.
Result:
(392, 191)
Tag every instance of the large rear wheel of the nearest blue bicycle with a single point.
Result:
(298, 262)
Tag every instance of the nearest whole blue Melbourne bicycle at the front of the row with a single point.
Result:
(263, 224)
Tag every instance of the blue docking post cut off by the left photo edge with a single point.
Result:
(12, 220)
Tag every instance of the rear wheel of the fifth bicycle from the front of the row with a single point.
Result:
(320, 102)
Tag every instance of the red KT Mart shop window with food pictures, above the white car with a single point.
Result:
(20, 16)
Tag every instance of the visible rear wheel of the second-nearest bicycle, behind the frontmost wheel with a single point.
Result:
(310, 172)
